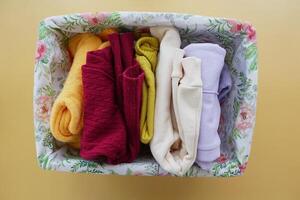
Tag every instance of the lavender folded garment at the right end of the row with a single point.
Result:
(212, 57)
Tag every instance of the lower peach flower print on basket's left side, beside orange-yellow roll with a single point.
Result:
(43, 108)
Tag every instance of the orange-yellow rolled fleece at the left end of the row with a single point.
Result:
(67, 111)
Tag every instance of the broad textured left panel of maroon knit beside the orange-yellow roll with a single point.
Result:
(104, 134)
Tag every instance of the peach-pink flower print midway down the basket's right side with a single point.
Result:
(245, 118)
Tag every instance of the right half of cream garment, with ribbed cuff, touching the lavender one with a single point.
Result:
(186, 97)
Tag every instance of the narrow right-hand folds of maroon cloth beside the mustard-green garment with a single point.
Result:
(130, 84)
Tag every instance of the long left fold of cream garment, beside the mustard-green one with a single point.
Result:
(164, 135)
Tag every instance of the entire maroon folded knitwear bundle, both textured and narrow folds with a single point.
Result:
(112, 87)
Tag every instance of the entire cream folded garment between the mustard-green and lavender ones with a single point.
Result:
(176, 119)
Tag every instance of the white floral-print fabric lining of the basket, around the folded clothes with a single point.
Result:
(237, 112)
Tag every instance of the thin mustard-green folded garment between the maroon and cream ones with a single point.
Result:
(146, 54)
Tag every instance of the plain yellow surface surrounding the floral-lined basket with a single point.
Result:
(274, 167)
